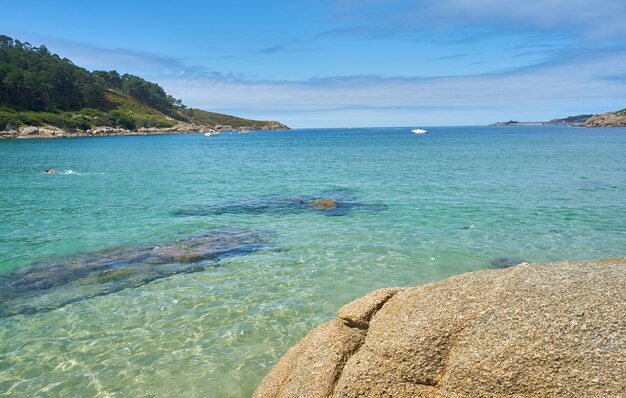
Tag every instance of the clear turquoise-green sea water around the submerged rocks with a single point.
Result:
(456, 199)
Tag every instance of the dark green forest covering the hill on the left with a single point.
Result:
(38, 86)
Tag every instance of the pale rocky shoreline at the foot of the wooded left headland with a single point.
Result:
(180, 128)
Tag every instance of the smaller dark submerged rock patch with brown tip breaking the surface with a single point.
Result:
(332, 203)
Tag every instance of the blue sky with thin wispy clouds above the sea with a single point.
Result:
(350, 63)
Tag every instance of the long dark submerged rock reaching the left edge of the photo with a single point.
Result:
(47, 285)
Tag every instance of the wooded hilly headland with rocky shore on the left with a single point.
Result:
(44, 95)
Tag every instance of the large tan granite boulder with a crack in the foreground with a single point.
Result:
(553, 330)
